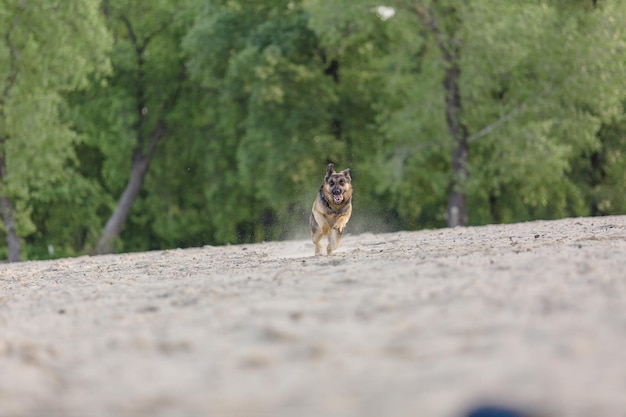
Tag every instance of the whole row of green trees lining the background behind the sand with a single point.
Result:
(138, 125)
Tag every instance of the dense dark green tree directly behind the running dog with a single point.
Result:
(294, 90)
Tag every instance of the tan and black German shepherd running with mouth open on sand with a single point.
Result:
(332, 209)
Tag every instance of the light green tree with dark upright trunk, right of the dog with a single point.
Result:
(529, 98)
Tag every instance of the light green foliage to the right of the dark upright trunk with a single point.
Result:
(552, 80)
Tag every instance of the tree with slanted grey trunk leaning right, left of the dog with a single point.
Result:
(149, 74)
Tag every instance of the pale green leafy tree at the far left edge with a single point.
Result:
(38, 40)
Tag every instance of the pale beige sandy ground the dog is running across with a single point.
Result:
(426, 323)
